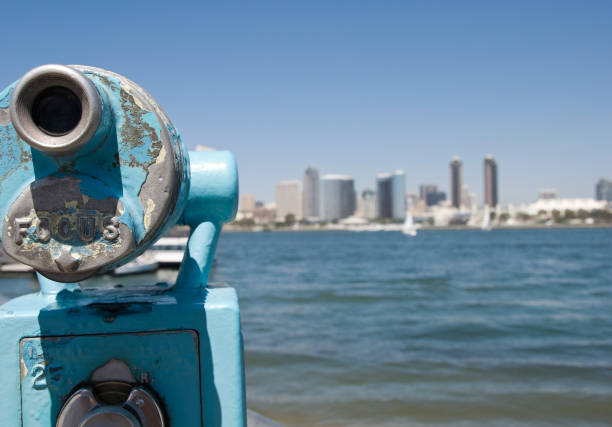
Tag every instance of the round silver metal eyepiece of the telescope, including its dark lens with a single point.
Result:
(55, 109)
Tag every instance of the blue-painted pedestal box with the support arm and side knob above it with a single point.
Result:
(101, 323)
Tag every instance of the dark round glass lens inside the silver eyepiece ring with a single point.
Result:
(56, 111)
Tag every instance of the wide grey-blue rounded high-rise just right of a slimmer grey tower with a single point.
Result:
(338, 197)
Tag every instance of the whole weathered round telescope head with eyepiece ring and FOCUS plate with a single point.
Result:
(94, 197)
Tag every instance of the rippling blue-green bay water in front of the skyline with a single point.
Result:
(449, 328)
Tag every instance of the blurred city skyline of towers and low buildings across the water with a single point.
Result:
(342, 204)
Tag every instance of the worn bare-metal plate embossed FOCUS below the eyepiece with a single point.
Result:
(70, 235)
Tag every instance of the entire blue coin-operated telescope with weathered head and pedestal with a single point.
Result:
(92, 172)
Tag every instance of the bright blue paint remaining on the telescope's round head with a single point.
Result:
(99, 167)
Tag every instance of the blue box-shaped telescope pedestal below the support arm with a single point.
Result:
(185, 344)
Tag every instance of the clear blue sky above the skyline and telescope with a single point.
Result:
(357, 87)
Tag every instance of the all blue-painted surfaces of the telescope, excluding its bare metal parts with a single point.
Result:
(182, 341)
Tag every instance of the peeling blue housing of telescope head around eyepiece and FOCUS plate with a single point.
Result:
(115, 162)
